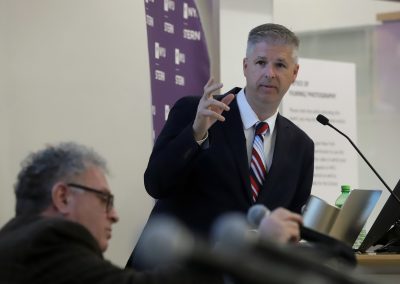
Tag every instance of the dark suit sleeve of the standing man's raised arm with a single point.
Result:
(174, 151)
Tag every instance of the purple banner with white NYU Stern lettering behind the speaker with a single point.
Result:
(179, 62)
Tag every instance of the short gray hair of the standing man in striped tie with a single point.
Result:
(274, 34)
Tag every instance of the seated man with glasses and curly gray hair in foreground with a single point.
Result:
(64, 217)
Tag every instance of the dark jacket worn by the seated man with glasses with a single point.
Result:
(53, 250)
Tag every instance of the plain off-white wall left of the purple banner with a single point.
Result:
(78, 70)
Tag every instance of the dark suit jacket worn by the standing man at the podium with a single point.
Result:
(197, 185)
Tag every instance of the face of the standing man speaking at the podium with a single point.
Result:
(269, 70)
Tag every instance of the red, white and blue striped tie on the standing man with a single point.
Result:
(258, 169)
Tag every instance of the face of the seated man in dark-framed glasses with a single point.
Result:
(89, 208)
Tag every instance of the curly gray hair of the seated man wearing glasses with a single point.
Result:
(44, 168)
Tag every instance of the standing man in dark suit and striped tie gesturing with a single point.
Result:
(201, 164)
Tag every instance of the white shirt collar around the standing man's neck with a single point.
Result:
(249, 117)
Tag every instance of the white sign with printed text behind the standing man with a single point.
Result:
(328, 88)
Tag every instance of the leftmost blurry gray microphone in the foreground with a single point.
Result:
(166, 241)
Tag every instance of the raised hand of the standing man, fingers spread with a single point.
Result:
(209, 109)
